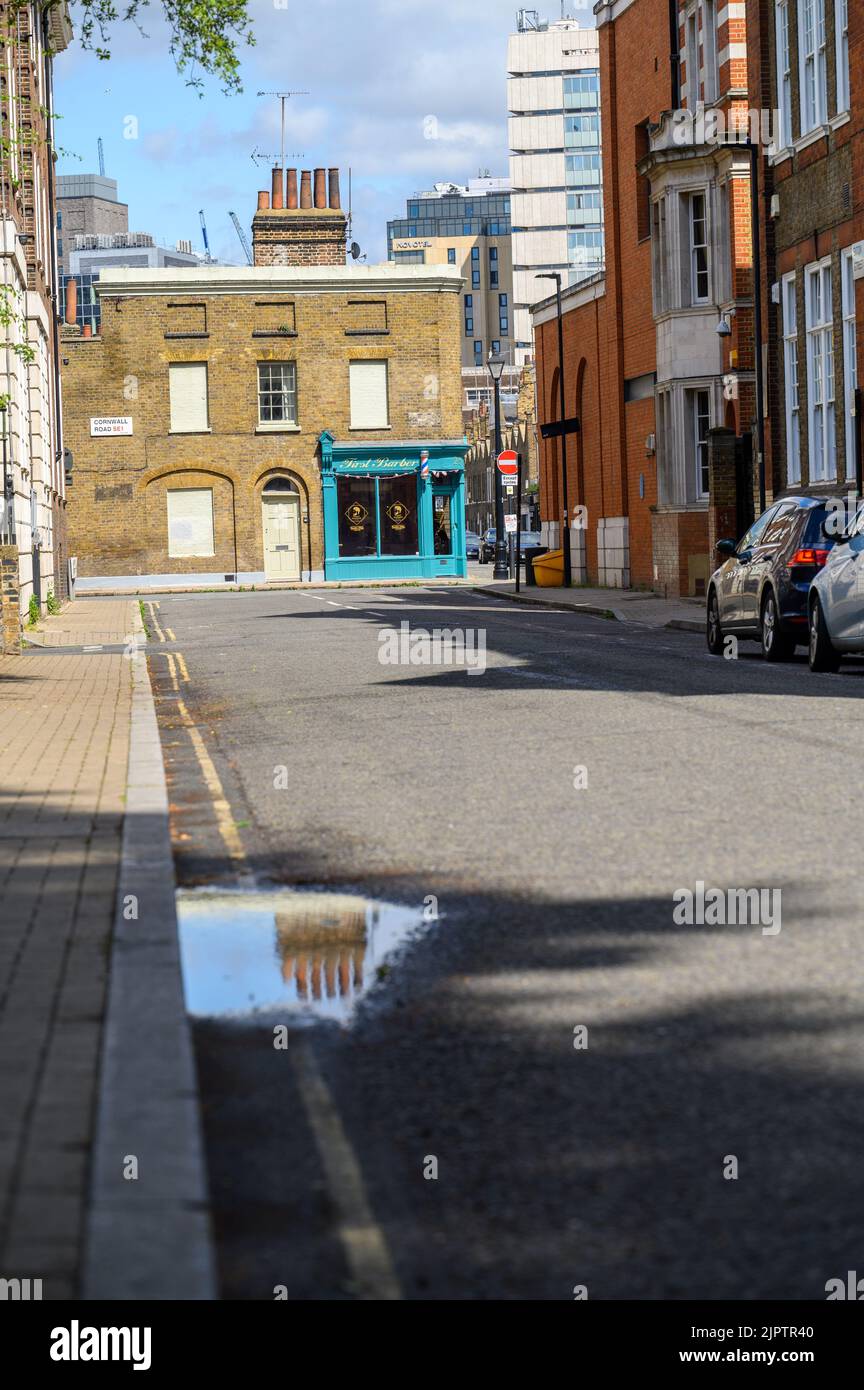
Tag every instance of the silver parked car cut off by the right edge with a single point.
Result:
(837, 601)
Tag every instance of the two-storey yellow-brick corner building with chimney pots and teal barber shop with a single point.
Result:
(292, 420)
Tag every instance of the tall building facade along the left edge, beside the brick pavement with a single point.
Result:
(33, 522)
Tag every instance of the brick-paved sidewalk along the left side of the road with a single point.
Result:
(65, 744)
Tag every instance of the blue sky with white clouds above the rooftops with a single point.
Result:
(374, 73)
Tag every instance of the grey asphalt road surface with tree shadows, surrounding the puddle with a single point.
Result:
(602, 1167)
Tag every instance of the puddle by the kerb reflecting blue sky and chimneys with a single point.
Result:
(312, 954)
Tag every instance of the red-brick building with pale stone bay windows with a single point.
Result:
(647, 370)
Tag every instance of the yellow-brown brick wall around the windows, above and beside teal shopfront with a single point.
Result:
(117, 509)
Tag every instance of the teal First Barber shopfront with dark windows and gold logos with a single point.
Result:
(394, 511)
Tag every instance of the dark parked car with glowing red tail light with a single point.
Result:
(762, 590)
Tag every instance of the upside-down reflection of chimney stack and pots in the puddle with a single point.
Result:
(324, 950)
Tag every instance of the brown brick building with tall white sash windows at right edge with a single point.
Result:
(806, 62)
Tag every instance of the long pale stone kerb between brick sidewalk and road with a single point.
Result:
(148, 1238)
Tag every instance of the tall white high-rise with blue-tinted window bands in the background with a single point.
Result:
(554, 98)
